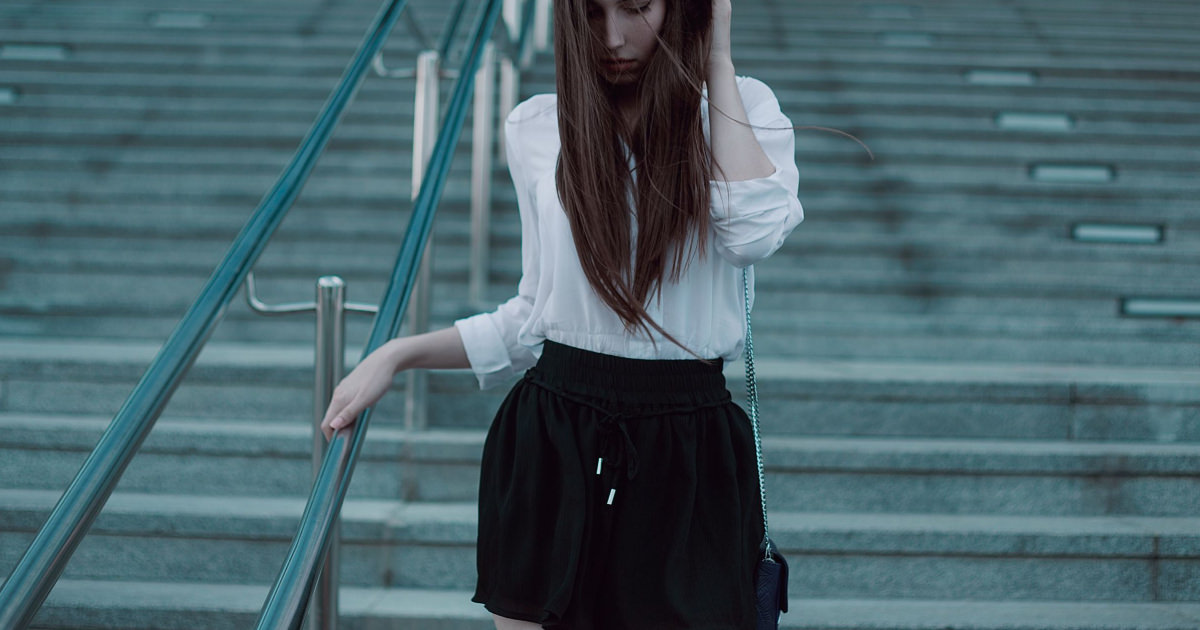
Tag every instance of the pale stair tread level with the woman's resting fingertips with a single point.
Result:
(231, 437)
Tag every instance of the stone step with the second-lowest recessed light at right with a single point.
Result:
(832, 223)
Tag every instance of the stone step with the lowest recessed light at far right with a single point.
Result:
(92, 299)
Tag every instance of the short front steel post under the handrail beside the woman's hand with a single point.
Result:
(331, 365)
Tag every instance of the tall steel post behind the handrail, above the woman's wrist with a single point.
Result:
(425, 128)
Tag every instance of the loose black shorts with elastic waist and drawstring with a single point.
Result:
(620, 494)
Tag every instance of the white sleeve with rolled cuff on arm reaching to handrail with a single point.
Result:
(491, 339)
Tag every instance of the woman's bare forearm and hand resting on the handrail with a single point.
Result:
(441, 350)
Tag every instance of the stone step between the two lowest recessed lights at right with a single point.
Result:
(949, 261)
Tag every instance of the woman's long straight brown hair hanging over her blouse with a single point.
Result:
(674, 163)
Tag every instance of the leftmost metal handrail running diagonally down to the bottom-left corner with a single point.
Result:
(44, 562)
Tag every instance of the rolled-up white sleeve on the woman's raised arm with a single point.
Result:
(752, 219)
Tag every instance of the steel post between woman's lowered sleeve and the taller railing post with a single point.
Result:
(482, 151)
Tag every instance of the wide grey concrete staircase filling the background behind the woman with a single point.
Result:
(963, 431)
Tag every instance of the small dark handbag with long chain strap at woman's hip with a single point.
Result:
(771, 579)
